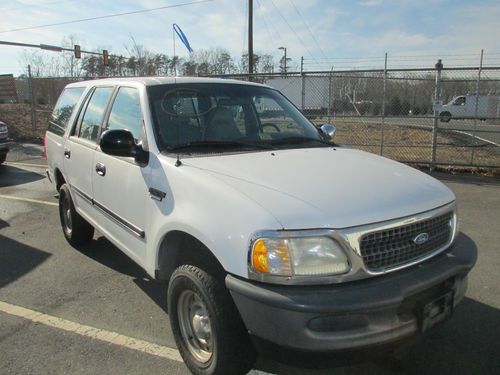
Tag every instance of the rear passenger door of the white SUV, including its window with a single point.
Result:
(80, 146)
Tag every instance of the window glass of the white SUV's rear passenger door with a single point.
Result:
(88, 128)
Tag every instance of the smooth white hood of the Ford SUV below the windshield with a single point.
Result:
(327, 187)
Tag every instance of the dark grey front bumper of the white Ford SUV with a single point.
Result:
(352, 315)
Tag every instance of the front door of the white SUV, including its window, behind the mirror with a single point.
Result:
(120, 184)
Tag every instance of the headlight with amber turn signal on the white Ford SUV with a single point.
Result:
(298, 256)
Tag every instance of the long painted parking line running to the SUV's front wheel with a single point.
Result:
(91, 332)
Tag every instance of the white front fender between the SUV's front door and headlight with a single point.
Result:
(208, 209)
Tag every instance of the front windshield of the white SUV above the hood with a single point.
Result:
(203, 117)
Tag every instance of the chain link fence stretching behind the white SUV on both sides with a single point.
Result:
(436, 116)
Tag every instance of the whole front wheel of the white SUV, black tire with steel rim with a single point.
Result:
(207, 328)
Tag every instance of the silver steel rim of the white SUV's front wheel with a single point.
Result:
(195, 325)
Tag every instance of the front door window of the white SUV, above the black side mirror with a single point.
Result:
(126, 112)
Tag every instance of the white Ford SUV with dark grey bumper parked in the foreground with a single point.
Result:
(267, 231)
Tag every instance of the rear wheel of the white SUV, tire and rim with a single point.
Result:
(76, 229)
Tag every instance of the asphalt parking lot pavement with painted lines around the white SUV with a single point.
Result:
(93, 310)
